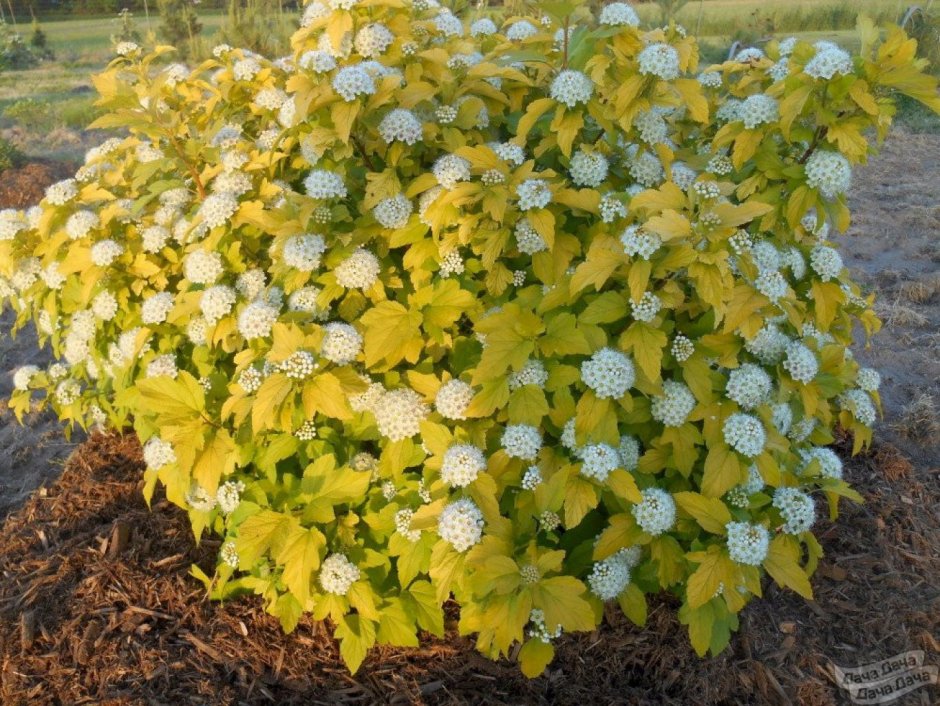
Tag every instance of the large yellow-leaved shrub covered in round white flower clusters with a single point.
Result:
(533, 314)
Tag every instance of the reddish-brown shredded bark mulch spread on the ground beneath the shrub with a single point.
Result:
(96, 606)
